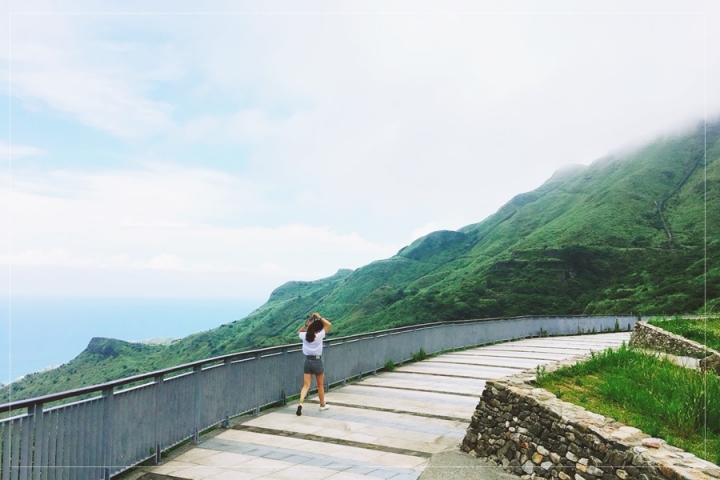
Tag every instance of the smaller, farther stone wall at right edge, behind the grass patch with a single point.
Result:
(651, 337)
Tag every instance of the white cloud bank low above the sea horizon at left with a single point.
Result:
(163, 219)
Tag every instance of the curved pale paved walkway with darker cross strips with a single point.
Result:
(404, 425)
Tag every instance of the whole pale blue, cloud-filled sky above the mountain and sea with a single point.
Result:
(220, 149)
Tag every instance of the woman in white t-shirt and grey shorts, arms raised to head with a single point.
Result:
(312, 334)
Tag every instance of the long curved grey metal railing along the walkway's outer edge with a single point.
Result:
(130, 421)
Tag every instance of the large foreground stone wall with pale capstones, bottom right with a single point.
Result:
(532, 433)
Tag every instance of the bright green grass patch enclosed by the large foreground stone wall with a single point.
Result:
(648, 392)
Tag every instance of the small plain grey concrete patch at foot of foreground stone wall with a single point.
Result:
(454, 464)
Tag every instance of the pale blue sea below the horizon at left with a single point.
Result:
(42, 333)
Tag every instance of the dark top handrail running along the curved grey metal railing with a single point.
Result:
(53, 397)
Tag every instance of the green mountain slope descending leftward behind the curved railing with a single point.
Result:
(626, 234)
